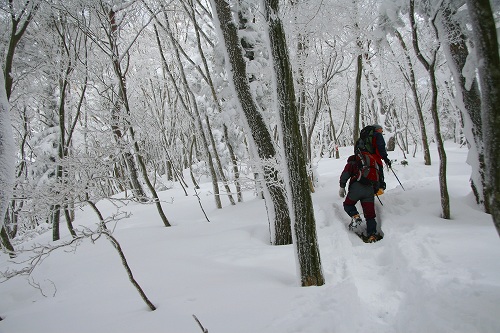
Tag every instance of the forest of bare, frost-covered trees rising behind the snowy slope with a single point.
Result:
(112, 96)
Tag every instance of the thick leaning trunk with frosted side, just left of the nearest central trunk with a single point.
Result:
(260, 134)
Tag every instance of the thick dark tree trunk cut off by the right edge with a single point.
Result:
(483, 25)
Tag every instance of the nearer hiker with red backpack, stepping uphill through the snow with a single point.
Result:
(359, 190)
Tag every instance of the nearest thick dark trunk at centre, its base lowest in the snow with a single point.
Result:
(303, 212)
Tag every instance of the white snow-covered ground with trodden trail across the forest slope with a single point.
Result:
(427, 274)
